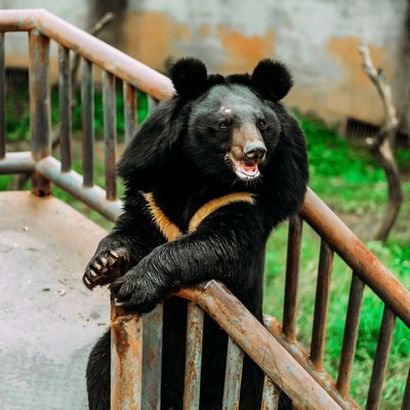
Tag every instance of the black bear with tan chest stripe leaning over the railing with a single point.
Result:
(207, 177)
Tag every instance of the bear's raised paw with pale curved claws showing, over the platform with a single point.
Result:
(106, 266)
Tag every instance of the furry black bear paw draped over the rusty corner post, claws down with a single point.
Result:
(141, 289)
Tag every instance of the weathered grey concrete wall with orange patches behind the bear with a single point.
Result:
(317, 39)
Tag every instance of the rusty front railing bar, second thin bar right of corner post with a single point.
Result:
(193, 357)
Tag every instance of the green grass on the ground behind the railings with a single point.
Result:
(347, 178)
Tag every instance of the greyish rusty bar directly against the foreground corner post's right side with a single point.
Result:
(152, 359)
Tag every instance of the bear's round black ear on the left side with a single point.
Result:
(190, 77)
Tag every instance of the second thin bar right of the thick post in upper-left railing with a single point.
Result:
(87, 111)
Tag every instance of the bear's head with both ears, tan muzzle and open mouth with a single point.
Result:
(231, 121)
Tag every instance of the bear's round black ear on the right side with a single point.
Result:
(272, 79)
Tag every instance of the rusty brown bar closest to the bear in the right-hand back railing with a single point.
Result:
(292, 275)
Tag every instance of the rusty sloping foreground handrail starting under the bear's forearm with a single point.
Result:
(261, 346)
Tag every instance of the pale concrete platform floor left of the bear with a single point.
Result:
(49, 320)
